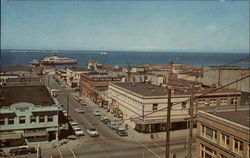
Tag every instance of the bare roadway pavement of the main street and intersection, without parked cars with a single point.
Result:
(108, 144)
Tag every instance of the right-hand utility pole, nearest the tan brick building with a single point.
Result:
(191, 112)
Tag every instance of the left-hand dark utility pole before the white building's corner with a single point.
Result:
(168, 124)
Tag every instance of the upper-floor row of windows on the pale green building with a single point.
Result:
(22, 120)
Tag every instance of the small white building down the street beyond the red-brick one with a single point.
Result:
(73, 76)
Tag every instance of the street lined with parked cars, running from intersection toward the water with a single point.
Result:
(109, 143)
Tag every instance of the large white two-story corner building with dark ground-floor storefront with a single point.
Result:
(143, 106)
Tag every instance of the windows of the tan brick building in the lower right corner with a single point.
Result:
(211, 134)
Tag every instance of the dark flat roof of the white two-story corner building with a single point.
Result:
(142, 88)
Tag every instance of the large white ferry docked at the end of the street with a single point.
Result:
(55, 60)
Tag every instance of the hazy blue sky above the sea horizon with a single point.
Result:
(185, 25)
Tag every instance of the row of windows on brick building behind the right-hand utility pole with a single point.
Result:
(213, 102)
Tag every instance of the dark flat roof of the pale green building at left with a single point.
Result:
(37, 95)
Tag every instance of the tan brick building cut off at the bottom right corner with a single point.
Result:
(223, 133)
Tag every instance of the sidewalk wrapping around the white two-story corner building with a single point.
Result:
(132, 133)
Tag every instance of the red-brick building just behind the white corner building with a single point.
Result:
(94, 85)
